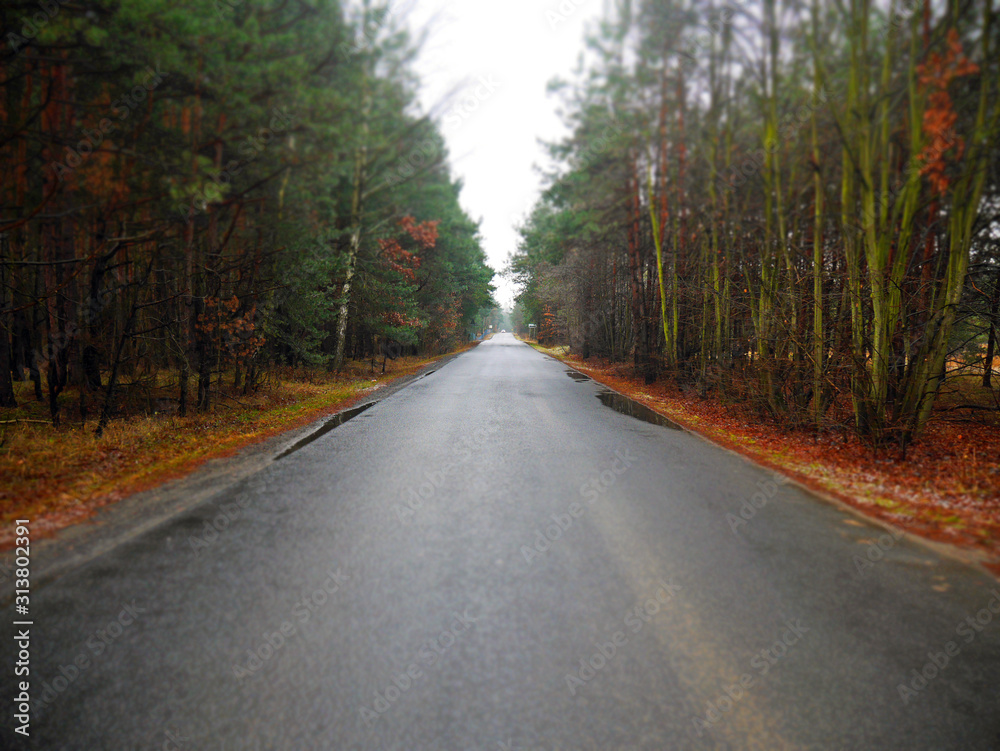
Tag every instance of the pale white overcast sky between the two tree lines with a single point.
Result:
(495, 59)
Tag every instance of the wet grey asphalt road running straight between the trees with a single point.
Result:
(491, 558)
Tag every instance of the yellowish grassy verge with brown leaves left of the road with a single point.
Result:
(57, 476)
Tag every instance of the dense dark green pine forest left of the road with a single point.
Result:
(195, 193)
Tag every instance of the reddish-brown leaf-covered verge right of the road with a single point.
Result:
(947, 488)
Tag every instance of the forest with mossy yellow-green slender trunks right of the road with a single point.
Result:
(791, 205)
